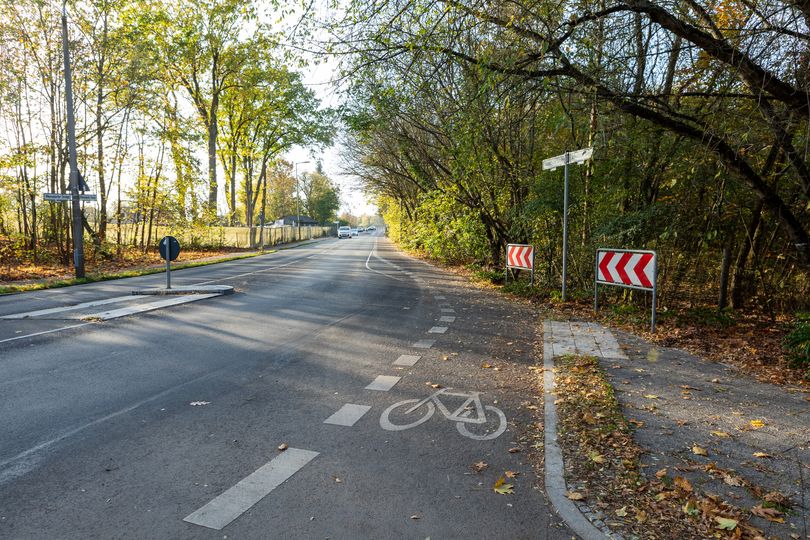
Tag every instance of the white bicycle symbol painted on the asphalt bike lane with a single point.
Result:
(471, 413)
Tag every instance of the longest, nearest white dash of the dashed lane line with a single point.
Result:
(228, 506)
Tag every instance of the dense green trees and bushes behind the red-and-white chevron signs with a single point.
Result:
(698, 116)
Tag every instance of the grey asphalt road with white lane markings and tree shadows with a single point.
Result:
(167, 424)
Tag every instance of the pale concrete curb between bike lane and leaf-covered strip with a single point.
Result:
(554, 468)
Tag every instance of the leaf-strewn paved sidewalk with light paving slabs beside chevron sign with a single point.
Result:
(678, 401)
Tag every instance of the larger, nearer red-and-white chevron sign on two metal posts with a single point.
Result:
(629, 268)
